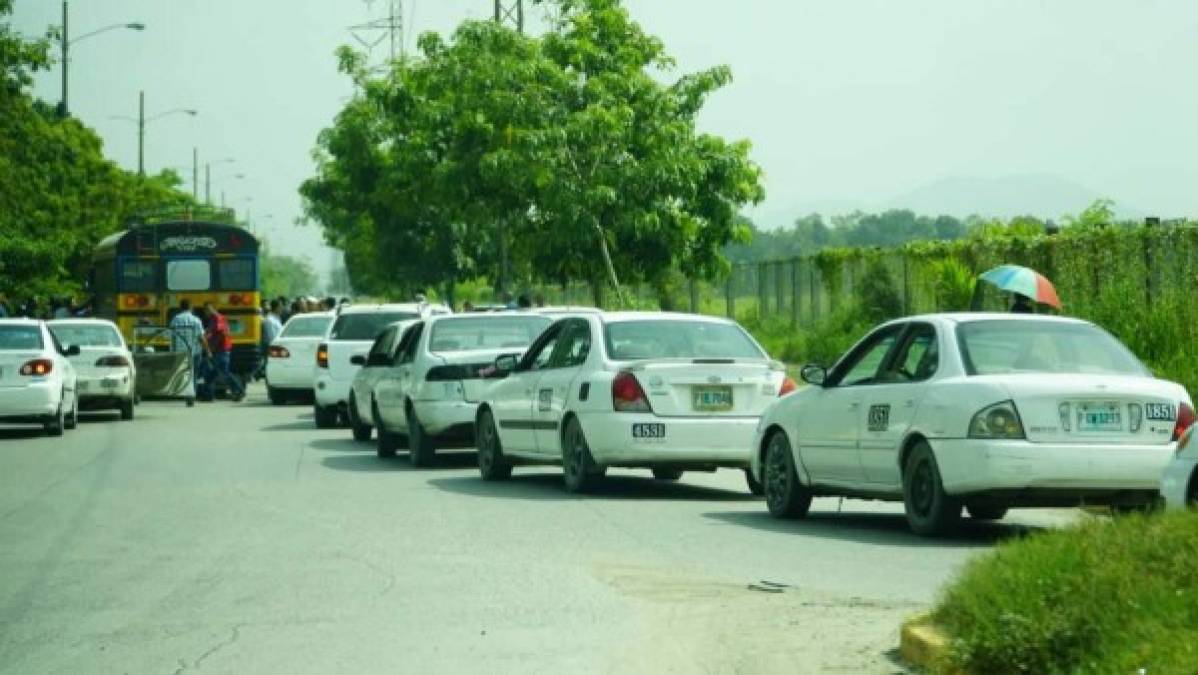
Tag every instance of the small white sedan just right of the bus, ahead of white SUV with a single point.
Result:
(291, 357)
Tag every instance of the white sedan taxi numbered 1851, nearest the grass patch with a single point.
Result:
(983, 412)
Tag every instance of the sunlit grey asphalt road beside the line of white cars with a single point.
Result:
(240, 539)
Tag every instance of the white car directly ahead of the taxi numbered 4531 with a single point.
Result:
(432, 394)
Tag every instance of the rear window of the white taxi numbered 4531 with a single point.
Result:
(628, 341)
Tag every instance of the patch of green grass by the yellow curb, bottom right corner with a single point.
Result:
(1108, 596)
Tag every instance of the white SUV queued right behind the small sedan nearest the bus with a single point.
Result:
(352, 334)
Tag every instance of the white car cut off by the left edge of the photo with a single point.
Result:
(38, 382)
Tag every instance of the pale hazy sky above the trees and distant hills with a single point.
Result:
(849, 104)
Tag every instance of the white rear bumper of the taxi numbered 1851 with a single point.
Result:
(971, 466)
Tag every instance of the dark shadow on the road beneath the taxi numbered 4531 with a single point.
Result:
(549, 487)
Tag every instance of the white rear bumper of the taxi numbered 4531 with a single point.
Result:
(725, 442)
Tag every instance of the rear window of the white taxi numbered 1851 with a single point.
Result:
(995, 348)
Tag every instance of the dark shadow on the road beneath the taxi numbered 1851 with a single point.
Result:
(888, 529)
